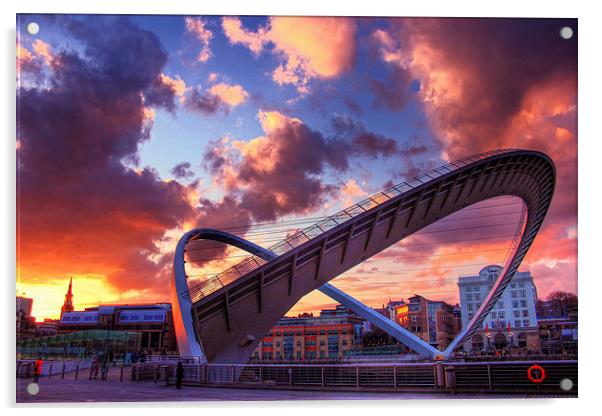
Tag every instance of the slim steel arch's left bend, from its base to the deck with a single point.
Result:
(188, 343)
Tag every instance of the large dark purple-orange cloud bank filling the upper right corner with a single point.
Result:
(488, 84)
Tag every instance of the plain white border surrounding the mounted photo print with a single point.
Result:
(590, 136)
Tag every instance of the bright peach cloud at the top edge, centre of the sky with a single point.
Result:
(309, 47)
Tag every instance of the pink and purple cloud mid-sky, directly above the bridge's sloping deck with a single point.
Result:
(281, 172)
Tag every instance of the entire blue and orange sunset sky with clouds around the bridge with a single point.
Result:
(132, 130)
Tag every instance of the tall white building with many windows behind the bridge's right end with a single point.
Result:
(512, 318)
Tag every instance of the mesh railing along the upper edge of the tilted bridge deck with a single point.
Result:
(197, 292)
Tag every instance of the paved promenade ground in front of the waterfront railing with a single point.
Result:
(85, 390)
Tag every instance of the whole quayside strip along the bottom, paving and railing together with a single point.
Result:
(155, 382)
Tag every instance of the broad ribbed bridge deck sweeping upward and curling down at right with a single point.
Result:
(229, 320)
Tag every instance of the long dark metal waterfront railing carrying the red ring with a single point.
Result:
(494, 376)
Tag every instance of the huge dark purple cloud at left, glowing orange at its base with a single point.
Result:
(81, 211)
